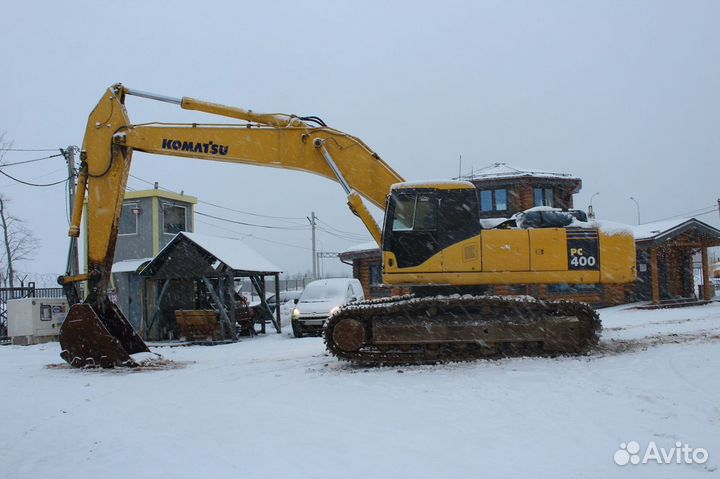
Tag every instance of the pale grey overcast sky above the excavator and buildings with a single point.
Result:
(621, 94)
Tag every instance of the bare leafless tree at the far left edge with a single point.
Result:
(18, 242)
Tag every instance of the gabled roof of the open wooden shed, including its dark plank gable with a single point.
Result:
(233, 253)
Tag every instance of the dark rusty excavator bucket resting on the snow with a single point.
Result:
(91, 337)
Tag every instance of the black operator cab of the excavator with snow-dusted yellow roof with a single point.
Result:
(422, 219)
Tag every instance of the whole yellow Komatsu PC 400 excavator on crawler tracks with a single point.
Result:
(432, 242)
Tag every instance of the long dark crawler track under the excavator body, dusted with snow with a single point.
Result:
(410, 330)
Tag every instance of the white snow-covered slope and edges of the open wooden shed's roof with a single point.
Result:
(232, 252)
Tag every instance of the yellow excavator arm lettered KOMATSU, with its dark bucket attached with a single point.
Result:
(273, 140)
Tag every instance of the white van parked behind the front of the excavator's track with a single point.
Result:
(318, 301)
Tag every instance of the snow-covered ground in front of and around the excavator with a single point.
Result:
(276, 406)
